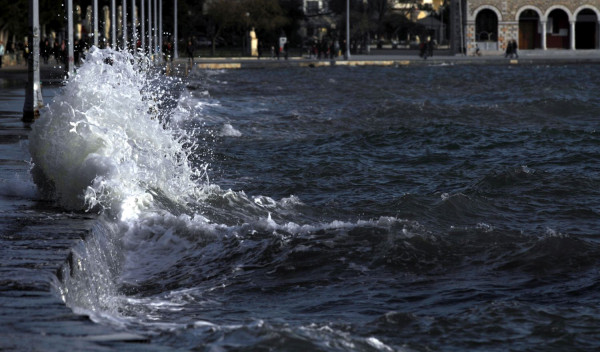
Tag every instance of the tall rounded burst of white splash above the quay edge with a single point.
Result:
(101, 141)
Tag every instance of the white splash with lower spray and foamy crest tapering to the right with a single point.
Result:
(109, 143)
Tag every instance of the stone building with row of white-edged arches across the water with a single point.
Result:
(534, 24)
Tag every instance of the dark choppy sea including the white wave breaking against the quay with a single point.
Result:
(335, 209)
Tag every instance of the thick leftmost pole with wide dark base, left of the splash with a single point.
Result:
(33, 90)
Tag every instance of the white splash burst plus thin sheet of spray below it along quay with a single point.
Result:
(105, 143)
